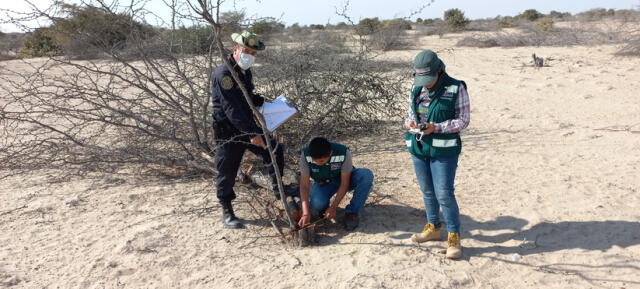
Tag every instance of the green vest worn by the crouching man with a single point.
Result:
(331, 170)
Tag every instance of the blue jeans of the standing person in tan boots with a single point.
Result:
(436, 178)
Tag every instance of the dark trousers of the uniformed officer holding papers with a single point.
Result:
(229, 154)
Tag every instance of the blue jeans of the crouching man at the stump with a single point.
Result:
(361, 182)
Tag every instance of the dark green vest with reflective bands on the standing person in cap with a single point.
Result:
(441, 108)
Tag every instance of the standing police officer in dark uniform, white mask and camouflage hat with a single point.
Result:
(234, 126)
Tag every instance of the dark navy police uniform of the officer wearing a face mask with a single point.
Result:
(234, 126)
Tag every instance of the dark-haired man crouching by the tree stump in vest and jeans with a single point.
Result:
(330, 166)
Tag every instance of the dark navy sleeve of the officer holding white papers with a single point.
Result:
(236, 108)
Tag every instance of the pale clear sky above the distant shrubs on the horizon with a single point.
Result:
(307, 12)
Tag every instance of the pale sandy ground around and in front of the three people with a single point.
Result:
(547, 185)
